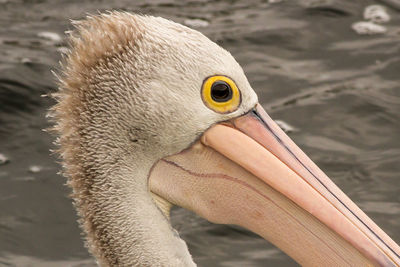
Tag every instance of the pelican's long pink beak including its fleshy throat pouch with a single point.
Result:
(249, 172)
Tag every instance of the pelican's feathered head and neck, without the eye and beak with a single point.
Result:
(129, 96)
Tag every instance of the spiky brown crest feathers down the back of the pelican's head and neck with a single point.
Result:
(94, 42)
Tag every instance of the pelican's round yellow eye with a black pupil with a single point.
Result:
(220, 94)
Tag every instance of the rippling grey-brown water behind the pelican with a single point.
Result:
(338, 89)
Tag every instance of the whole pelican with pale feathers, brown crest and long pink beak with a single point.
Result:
(151, 114)
